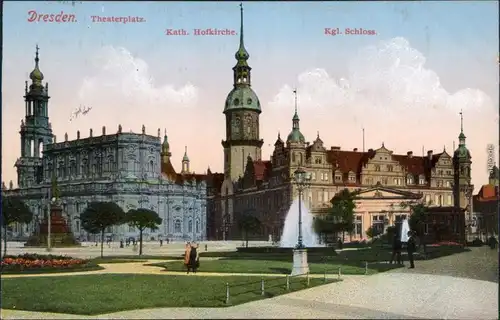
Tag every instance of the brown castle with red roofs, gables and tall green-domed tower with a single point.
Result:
(265, 188)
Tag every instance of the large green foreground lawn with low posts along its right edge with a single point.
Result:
(106, 293)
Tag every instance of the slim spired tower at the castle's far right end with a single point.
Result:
(462, 187)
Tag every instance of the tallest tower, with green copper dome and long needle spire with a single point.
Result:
(242, 110)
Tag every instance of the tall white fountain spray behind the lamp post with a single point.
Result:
(291, 227)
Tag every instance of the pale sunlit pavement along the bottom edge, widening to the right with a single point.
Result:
(383, 296)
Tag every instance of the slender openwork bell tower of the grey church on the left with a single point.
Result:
(36, 131)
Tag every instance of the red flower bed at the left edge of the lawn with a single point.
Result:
(44, 263)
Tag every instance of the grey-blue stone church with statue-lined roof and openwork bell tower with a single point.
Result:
(131, 169)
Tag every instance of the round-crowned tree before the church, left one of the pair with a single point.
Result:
(98, 216)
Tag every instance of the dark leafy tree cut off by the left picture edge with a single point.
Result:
(14, 210)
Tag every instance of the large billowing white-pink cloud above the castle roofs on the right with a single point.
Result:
(390, 92)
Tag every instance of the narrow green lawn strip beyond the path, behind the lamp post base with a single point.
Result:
(229, 265)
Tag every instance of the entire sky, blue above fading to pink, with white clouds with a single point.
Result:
(454, 46)
